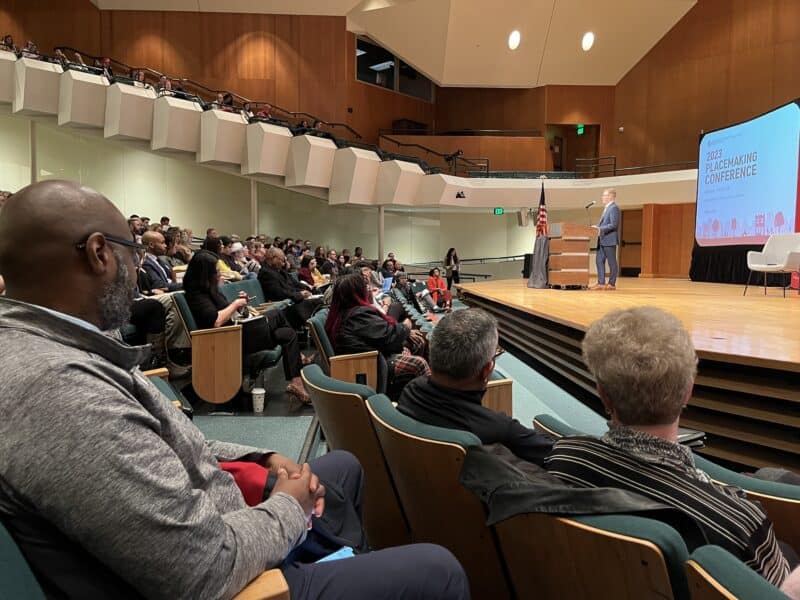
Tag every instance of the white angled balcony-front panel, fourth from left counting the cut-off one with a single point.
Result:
(129, 112)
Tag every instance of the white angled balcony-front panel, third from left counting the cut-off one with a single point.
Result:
(82, 99)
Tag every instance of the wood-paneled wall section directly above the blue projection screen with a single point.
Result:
(724, 62)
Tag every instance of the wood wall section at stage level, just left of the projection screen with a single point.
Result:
(667, 239)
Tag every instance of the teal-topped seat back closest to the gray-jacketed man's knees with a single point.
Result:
(342, 412)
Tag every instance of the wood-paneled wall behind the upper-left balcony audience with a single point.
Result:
(301, 63)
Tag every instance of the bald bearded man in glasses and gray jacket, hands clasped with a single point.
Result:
(108, 490)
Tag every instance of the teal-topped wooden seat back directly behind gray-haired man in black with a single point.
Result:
(425, 462)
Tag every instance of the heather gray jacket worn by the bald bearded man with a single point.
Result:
(88, 445)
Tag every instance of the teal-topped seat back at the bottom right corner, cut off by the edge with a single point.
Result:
(715, 574)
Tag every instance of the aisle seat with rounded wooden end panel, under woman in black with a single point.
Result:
(217, 361)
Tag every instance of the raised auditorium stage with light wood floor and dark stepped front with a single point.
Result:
(747, 393)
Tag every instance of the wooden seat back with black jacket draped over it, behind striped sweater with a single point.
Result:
(605, 556)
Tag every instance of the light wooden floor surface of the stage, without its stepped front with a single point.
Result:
(753, 330)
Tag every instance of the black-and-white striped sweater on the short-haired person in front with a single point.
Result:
(665, 471)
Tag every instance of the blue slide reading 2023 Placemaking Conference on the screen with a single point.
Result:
(747, 181)
